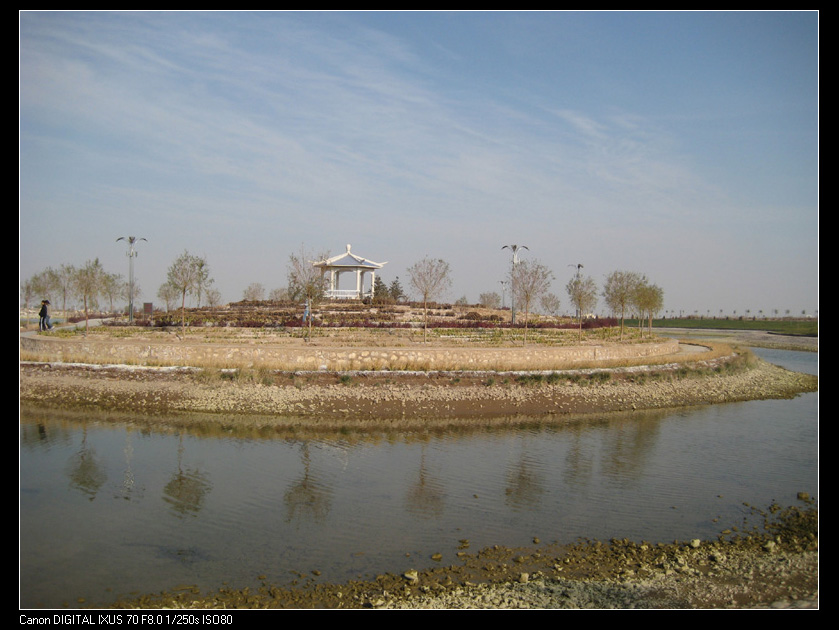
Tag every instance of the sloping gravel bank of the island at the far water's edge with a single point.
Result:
(329, 399)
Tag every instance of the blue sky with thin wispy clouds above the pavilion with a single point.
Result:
(680, 145)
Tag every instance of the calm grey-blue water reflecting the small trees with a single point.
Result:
(111, 509)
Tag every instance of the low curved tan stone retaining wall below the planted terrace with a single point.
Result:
(336, 358)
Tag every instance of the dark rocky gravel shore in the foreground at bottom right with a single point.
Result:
(771, 566)
